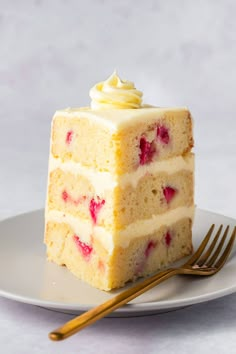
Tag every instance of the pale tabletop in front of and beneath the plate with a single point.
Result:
(204, 328)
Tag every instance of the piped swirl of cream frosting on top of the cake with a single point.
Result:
(115, 93)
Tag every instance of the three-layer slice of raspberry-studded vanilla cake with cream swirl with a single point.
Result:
(120, 191)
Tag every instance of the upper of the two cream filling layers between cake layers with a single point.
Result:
(103, 181)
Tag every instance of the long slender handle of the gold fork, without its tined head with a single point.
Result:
(87, 318)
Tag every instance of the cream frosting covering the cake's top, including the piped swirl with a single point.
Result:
(116, 103)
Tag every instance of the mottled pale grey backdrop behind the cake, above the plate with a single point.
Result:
(177, 52)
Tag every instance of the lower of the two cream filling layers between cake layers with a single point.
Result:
(84, 228)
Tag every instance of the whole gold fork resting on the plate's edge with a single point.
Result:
(201, 263)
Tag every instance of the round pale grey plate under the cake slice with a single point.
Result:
(26, 275)
